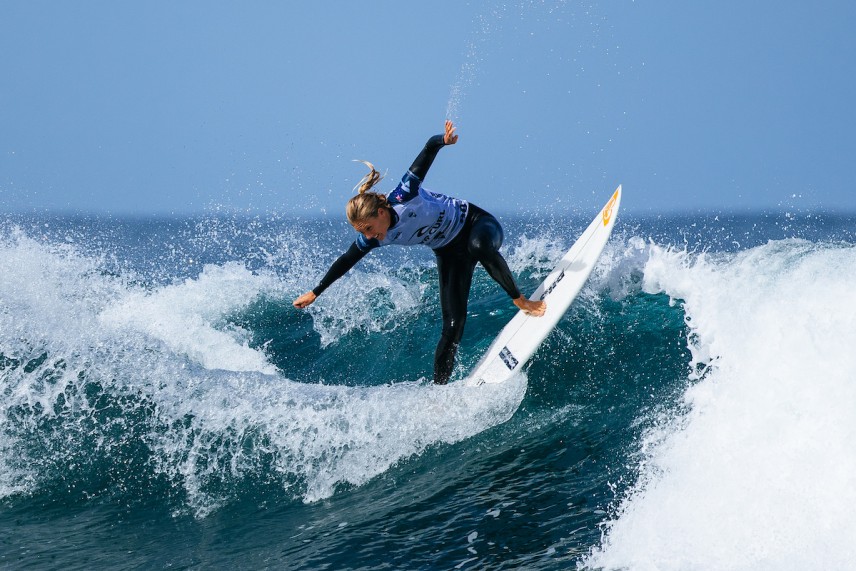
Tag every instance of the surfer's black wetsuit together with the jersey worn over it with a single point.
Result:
(468, 235)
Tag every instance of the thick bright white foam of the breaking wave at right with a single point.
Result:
(760, 473)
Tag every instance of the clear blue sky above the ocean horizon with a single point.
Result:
(182, 107)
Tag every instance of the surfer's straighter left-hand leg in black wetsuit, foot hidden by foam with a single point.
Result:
(456, 275)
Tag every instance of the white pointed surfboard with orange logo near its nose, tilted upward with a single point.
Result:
(519, 340)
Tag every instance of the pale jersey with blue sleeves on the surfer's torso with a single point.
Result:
(420, 217)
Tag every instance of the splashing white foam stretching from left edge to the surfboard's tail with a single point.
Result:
(210, 409)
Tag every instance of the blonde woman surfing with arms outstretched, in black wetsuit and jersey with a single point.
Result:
(461, 235)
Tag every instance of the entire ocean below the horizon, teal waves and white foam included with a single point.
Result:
(163, 405)
